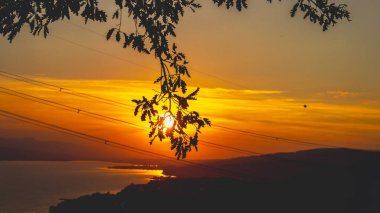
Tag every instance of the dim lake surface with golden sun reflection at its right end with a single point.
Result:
(33, 186)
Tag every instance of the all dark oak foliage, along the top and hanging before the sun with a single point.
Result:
(154, 23)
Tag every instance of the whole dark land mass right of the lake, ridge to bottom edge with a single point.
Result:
(314, 181)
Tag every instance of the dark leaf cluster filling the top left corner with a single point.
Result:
(38, 14)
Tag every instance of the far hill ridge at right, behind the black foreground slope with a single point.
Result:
(282, 165)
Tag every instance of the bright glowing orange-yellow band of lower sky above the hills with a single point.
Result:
(265, 112)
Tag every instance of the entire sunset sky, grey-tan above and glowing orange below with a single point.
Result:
(256, 69)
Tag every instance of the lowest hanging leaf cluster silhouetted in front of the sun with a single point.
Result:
(173, 92)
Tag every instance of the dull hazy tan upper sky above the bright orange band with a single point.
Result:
(261, 48)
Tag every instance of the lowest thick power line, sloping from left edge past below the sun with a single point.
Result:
(115, 143)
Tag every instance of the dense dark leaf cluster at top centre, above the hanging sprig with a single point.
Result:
(154, 22)
